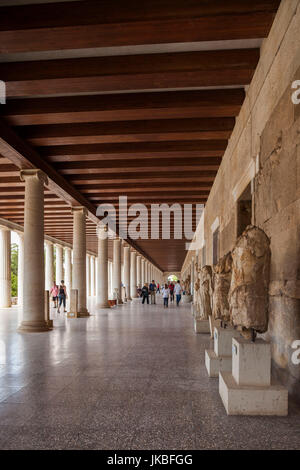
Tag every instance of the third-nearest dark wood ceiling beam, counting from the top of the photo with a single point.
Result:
(120, 107)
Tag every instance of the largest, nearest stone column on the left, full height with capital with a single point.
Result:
(34, 270)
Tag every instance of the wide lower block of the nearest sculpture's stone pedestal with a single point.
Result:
(252, 400)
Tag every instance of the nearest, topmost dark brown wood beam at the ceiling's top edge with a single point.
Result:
(64, 26)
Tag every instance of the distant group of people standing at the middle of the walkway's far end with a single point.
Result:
(168, 292)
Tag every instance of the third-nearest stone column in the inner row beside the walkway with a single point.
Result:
(102, 270)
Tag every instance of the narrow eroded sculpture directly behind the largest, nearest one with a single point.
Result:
(221, 282)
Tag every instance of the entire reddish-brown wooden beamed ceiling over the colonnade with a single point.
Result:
(123, 97)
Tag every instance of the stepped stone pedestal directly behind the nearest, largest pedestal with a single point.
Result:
(220, 358)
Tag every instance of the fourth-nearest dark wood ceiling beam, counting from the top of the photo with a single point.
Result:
(128, 131)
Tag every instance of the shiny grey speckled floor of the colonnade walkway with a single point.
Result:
(132, 377)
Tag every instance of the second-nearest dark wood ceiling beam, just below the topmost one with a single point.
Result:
(152, 71)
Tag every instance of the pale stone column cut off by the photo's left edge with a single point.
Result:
(5, 267)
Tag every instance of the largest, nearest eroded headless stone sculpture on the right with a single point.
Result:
(248, 295)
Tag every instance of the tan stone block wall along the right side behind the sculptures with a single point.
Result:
(264, 150)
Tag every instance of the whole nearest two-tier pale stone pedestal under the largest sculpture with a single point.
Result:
(248, 390)
